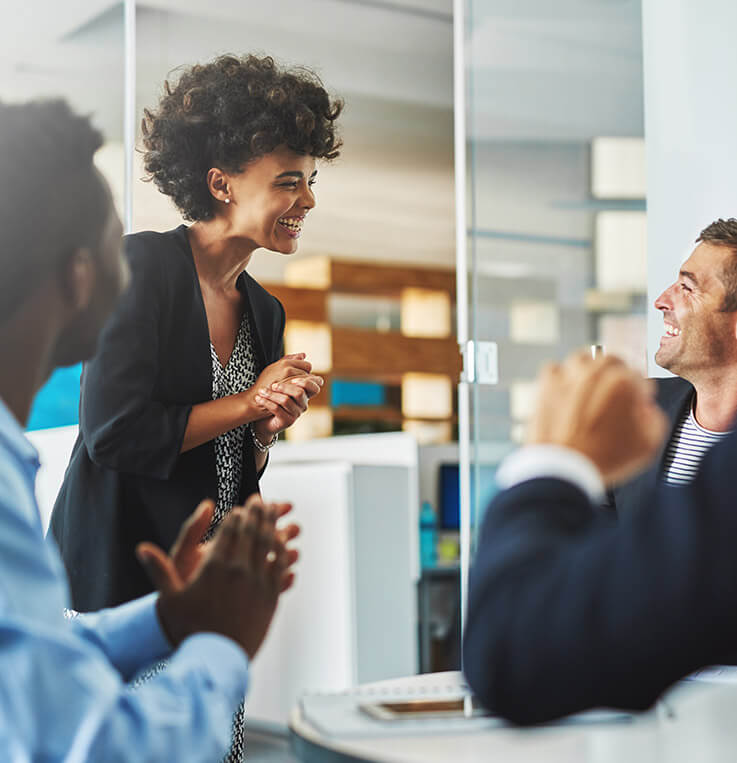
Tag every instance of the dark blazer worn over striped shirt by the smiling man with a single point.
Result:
(674, 396)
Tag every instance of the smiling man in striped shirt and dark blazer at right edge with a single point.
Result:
(699, 344)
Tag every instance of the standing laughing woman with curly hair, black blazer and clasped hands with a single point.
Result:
(189, 388)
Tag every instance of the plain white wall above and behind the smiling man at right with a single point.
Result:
(690, 132)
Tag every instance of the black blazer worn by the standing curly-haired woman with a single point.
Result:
(127, 481)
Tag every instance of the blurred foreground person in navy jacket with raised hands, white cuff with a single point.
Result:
(569, 611)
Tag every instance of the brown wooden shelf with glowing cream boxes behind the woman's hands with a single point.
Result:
(423, 358)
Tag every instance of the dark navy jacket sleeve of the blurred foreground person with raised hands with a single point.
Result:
(568, 610)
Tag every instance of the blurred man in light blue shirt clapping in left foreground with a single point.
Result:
(63, 690)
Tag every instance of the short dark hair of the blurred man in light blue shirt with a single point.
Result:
(51, 199)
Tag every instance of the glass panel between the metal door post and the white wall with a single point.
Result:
(555, 202)
